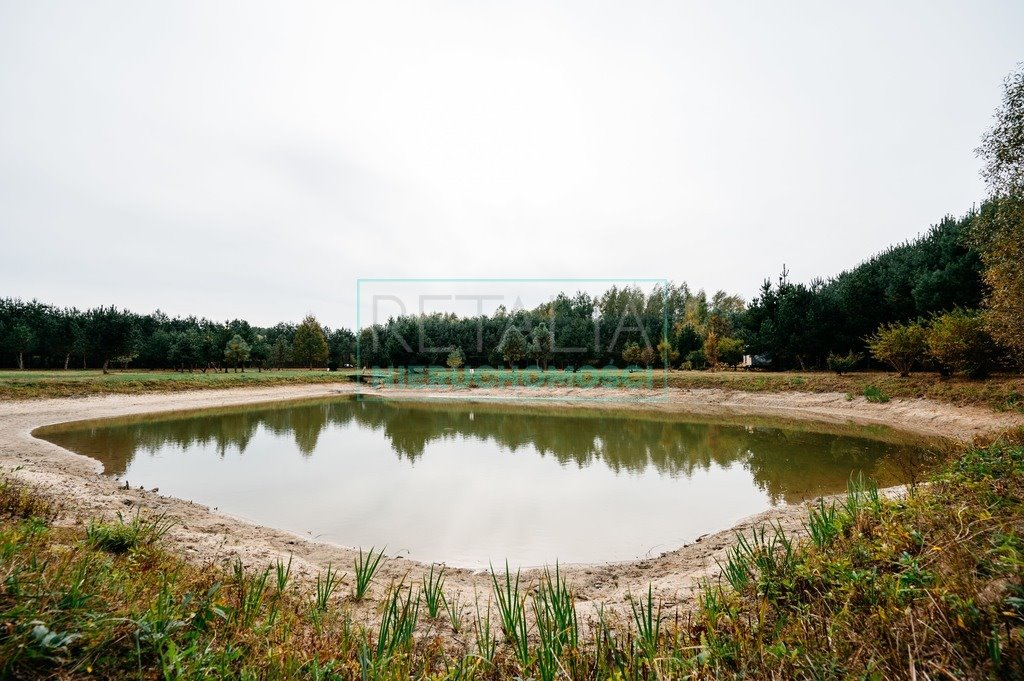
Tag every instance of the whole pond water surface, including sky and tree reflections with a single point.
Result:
(473, 484)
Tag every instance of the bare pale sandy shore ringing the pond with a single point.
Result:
(206, 536)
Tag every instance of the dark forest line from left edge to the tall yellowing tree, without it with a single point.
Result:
(789, 325)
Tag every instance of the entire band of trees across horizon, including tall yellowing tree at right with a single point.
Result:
(915, 305)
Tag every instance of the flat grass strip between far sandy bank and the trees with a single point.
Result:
(1000, 393)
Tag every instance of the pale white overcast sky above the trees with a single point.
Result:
(255, 159)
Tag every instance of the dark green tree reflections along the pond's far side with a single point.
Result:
(789, 464)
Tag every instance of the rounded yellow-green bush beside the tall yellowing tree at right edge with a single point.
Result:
(958, 342)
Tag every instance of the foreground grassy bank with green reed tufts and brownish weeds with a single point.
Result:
(929, 585)
